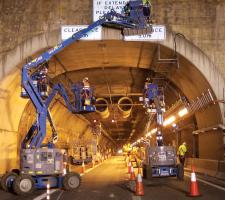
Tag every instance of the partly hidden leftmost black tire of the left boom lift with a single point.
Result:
(6, 186)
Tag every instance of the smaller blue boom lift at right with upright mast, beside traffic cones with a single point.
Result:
(160, 160)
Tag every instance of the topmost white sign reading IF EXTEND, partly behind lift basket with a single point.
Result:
(101, 7)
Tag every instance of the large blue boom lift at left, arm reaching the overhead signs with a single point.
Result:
(42, 164)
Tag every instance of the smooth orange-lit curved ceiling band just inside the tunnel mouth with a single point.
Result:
(144, 55)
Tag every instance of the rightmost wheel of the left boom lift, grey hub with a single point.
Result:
(71, 181)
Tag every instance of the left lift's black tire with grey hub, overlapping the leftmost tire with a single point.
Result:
(20, 183)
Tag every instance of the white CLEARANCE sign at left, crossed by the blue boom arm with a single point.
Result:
(68, 31)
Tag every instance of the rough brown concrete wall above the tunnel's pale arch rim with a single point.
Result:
(22, 20)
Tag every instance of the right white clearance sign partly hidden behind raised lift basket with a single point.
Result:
(159, 33)
